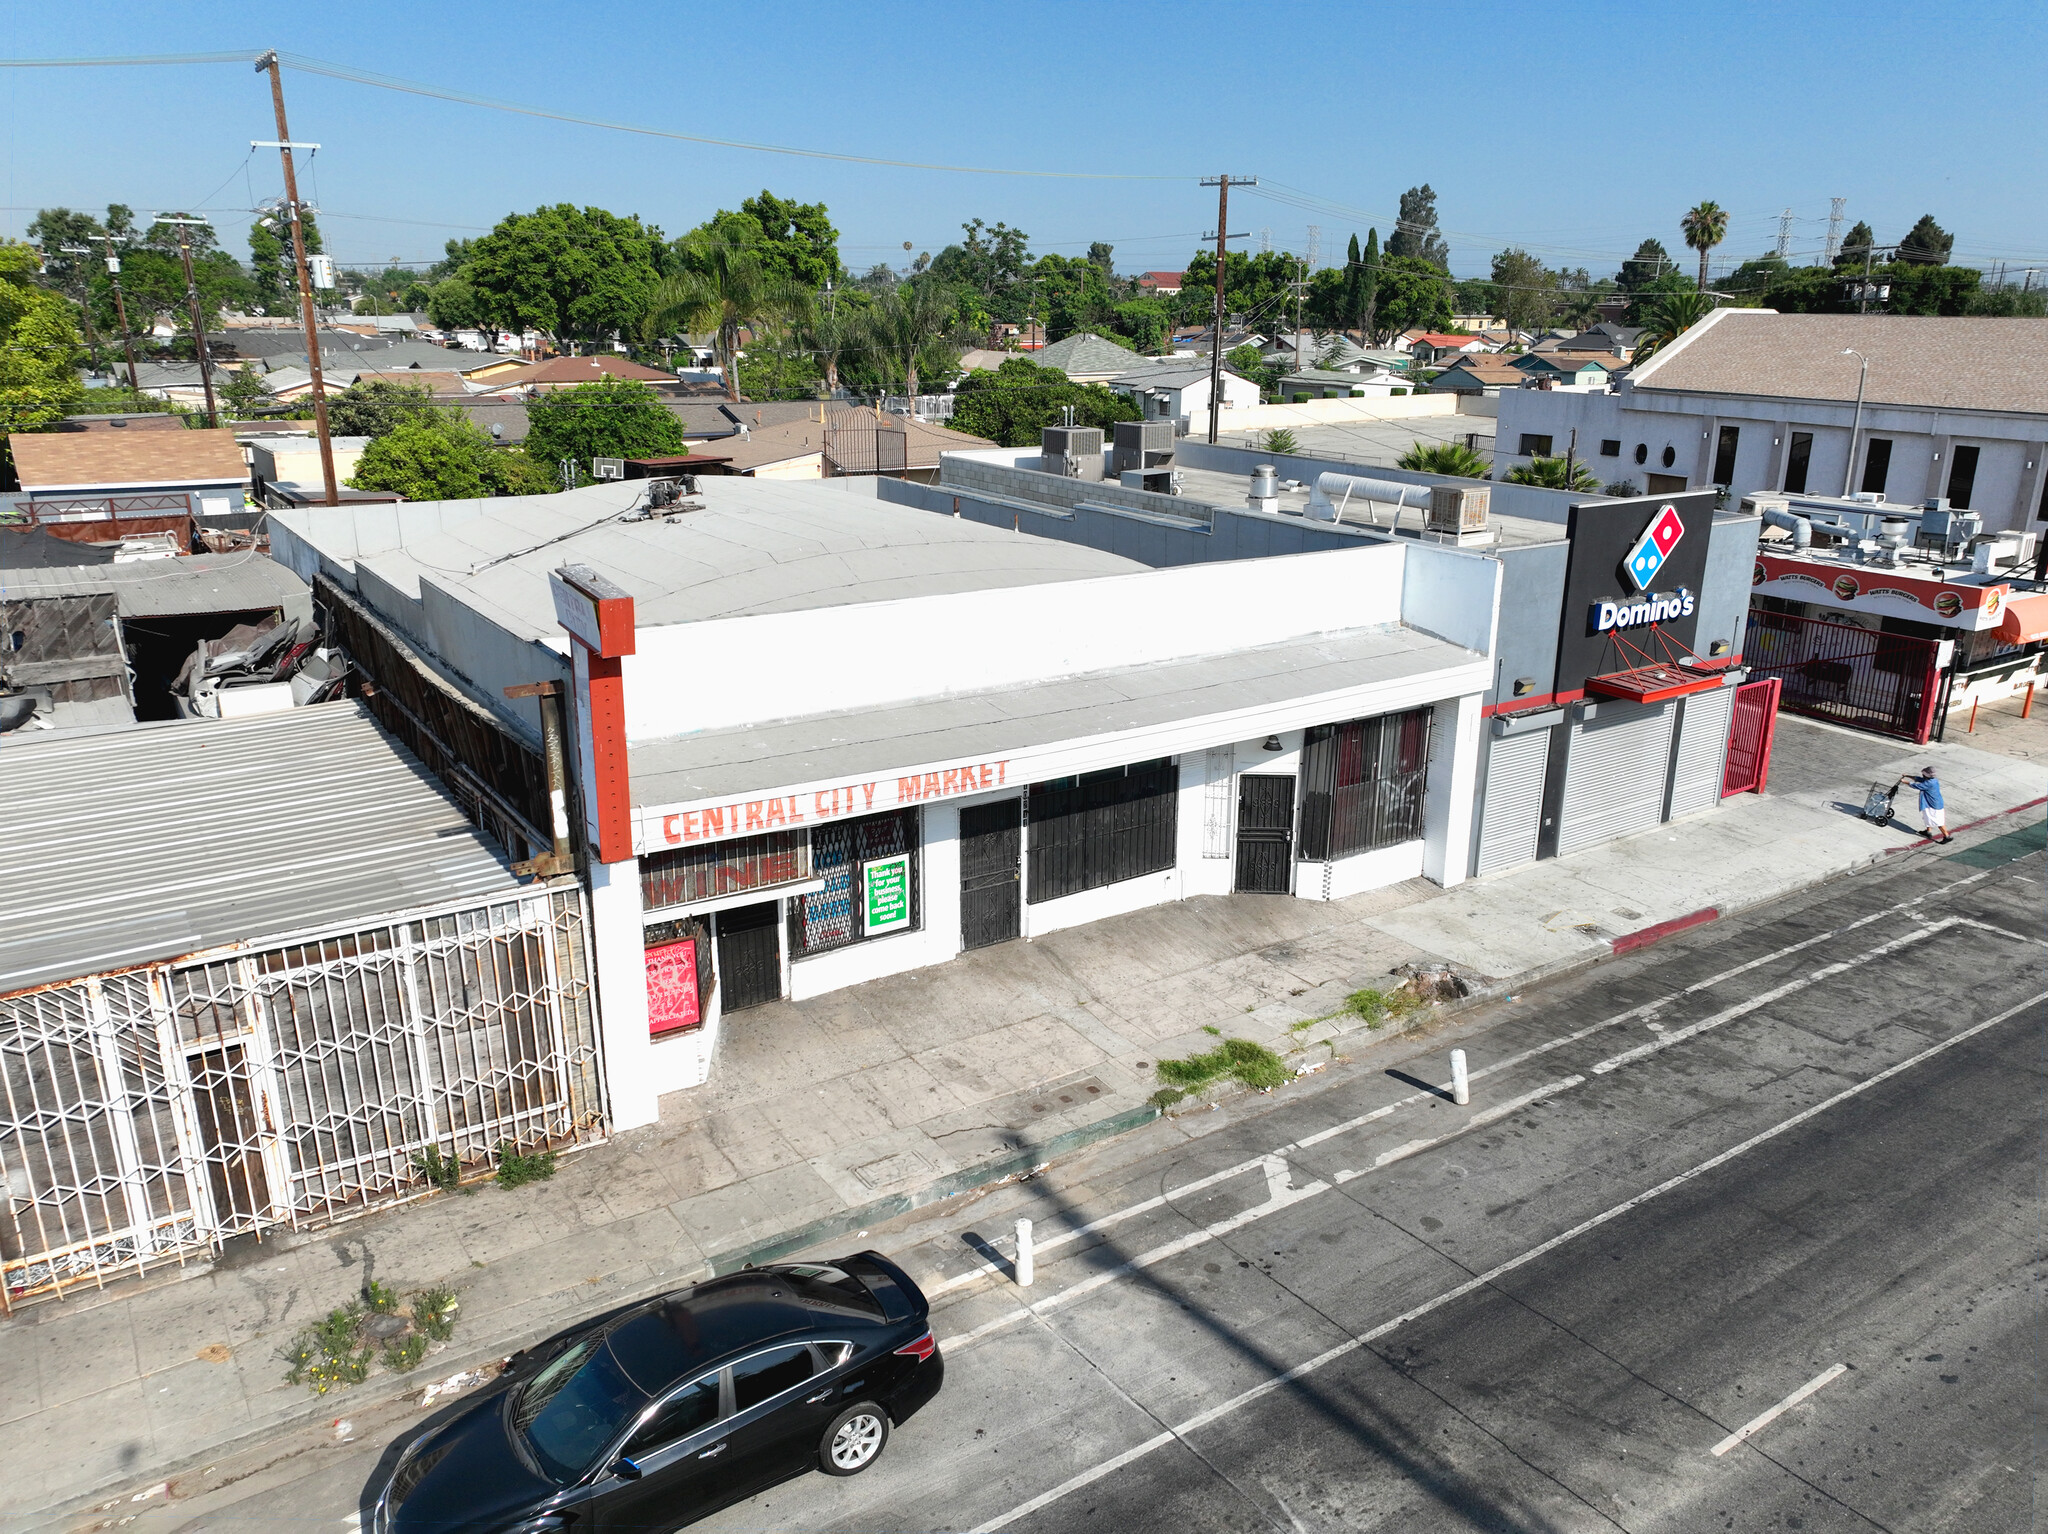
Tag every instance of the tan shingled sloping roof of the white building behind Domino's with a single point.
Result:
(1920, 361)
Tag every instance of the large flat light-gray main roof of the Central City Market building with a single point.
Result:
(759, 546)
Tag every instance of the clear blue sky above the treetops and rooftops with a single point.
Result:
(1572, 130)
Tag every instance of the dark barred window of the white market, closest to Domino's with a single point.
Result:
(1365, 783)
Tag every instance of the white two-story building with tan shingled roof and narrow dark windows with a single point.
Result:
(1764, 402)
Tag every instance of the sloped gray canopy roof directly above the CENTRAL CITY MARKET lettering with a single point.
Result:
(865, 742)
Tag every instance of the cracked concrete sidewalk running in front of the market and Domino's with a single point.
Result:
(857, 1107)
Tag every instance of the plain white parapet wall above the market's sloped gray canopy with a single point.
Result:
(884, 652)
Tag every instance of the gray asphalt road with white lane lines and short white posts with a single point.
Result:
(1793, 1154)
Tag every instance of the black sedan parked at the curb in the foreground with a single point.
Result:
(665, 1412)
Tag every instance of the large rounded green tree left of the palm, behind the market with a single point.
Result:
(570, 273)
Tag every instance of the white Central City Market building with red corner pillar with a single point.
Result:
(824, 738)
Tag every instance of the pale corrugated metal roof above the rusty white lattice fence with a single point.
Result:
(157, 841)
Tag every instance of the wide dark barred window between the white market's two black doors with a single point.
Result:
(1101, 828)
